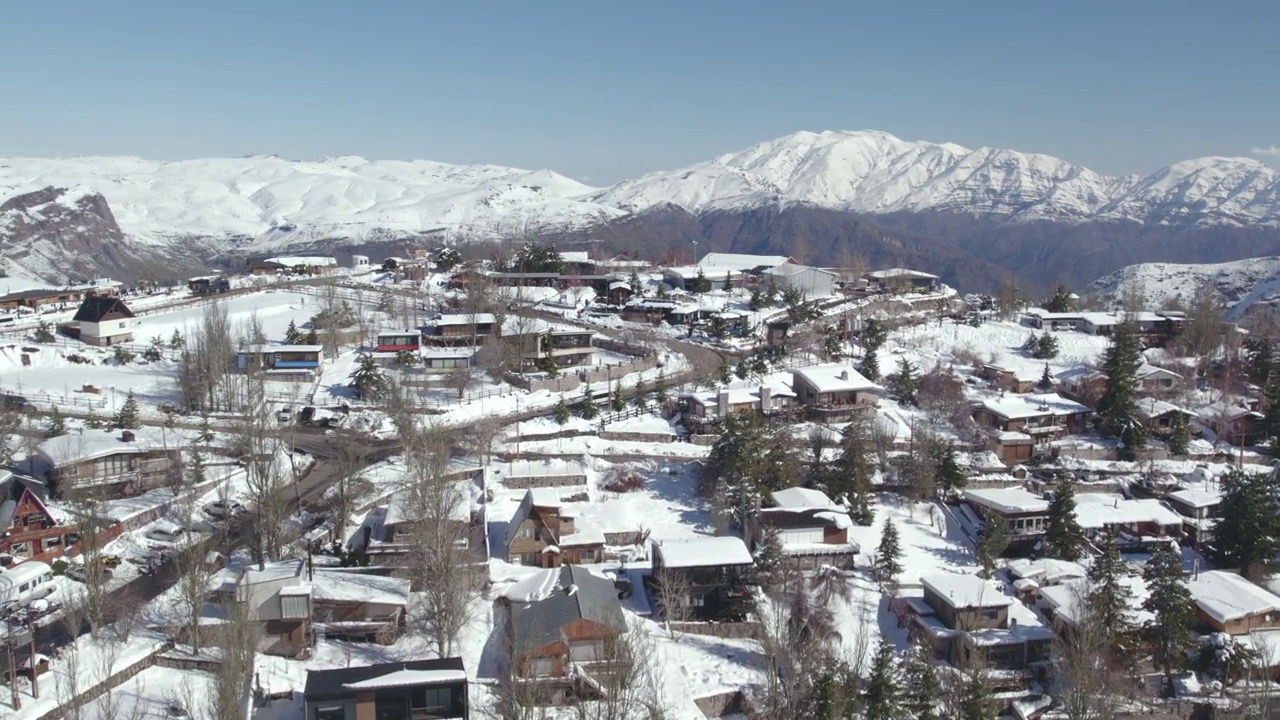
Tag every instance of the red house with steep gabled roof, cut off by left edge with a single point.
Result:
(29, 531)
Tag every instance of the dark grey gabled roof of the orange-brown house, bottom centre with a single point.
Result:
(579, 596)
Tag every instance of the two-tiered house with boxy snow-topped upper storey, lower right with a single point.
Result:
(967, 618)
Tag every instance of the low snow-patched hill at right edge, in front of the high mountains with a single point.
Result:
(1241, 285)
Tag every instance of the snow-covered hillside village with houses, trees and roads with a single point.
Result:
(554, 485)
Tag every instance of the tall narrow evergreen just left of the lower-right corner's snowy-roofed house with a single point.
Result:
(1169, 600)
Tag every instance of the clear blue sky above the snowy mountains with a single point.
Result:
(607, 90)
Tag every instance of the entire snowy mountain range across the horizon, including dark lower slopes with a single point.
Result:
(976, 217)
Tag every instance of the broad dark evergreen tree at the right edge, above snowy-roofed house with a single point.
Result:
(1249, 527)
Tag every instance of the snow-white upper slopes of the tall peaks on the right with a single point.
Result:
(877, 174)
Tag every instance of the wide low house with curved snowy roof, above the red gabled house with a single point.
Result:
(109, 463)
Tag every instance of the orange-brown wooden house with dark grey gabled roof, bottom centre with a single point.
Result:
(561, 617)
